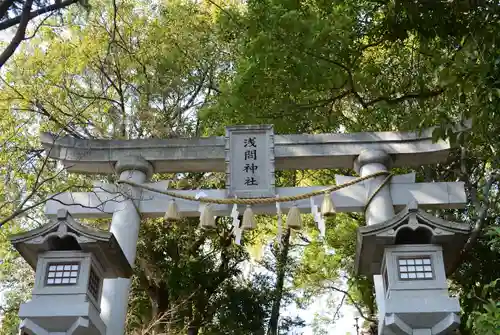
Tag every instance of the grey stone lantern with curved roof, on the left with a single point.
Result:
(71, 261)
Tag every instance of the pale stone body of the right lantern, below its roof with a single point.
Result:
(415, 306)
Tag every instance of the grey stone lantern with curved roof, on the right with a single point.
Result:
(408, 256)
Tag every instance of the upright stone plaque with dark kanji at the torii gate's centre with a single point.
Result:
(250, 161)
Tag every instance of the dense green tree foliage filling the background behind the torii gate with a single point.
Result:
(165, 69)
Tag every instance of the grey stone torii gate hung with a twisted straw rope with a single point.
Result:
(136, 161)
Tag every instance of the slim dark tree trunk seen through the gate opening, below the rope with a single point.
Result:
(280, 280)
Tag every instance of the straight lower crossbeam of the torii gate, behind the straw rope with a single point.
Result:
(103, 202)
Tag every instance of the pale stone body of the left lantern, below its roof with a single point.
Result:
(66, 309)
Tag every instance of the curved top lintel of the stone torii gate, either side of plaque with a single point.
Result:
(207, 154)
